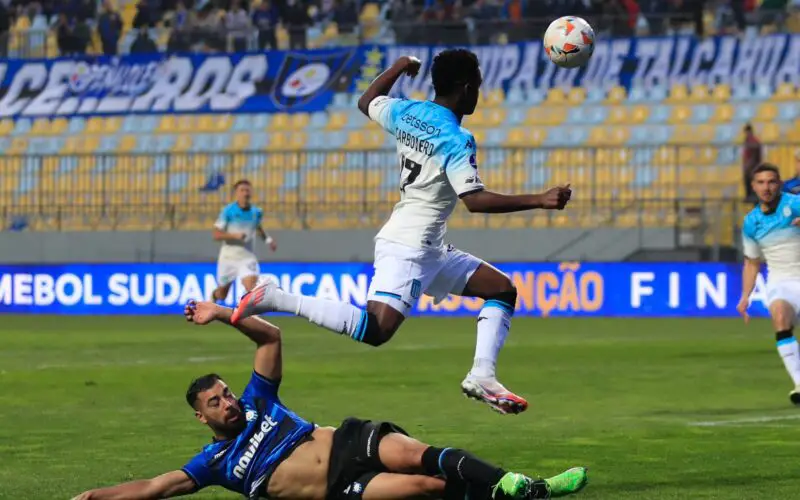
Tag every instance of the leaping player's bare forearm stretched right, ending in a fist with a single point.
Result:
(487, 202)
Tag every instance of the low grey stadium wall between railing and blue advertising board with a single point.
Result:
(498, 245)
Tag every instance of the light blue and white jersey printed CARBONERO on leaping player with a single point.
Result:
(437, 160)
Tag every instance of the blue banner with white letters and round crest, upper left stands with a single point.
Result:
(159, 83)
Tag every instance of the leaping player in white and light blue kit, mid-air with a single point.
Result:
(437, 167)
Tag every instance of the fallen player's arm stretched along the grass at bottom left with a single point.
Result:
(171, 484)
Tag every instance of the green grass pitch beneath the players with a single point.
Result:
(92, 401)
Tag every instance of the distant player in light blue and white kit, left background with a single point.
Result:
(237, 227)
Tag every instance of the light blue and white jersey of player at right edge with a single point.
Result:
(772, 237)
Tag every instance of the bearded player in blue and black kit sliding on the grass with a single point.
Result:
(261, 449)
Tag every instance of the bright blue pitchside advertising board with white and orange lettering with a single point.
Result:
(544, 289)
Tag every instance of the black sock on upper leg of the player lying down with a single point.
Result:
(458, 465)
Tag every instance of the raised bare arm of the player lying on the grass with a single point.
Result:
(268, 360)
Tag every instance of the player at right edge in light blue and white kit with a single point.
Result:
(769, 233)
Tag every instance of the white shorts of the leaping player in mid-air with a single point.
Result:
(403, 274)
